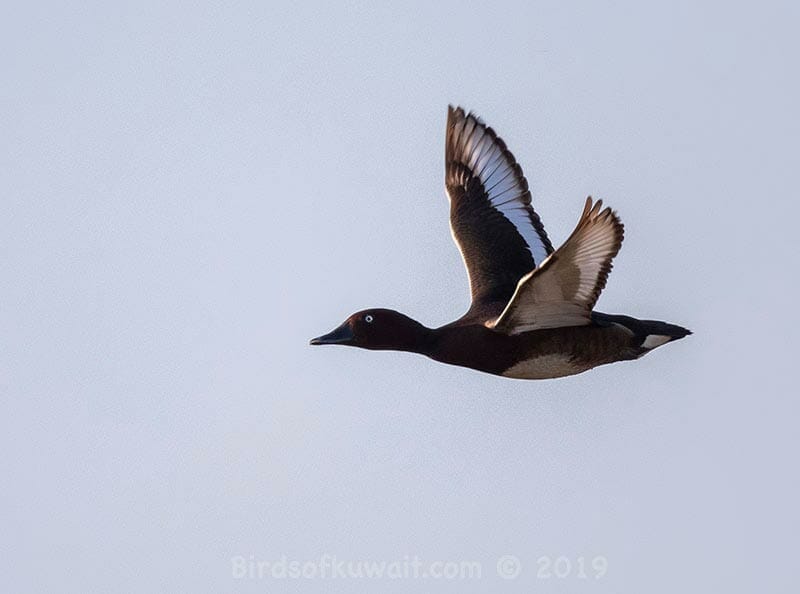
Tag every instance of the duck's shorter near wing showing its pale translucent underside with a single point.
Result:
(565, 288)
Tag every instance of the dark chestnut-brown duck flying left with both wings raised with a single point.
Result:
(532, 313)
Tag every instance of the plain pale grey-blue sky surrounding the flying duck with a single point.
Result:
(191, 192)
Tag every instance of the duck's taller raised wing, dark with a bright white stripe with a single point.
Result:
(500, 236)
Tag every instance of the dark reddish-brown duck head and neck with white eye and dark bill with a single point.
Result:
(379, 329)
